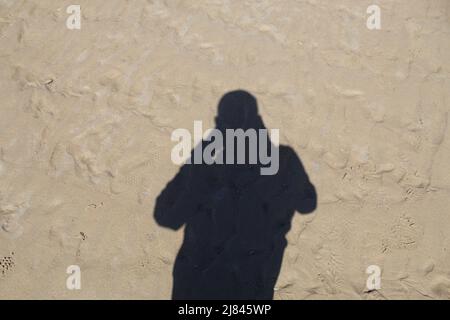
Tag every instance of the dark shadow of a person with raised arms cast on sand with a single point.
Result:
(235, 218)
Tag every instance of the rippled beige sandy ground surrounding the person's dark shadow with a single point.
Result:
(86, 118)
